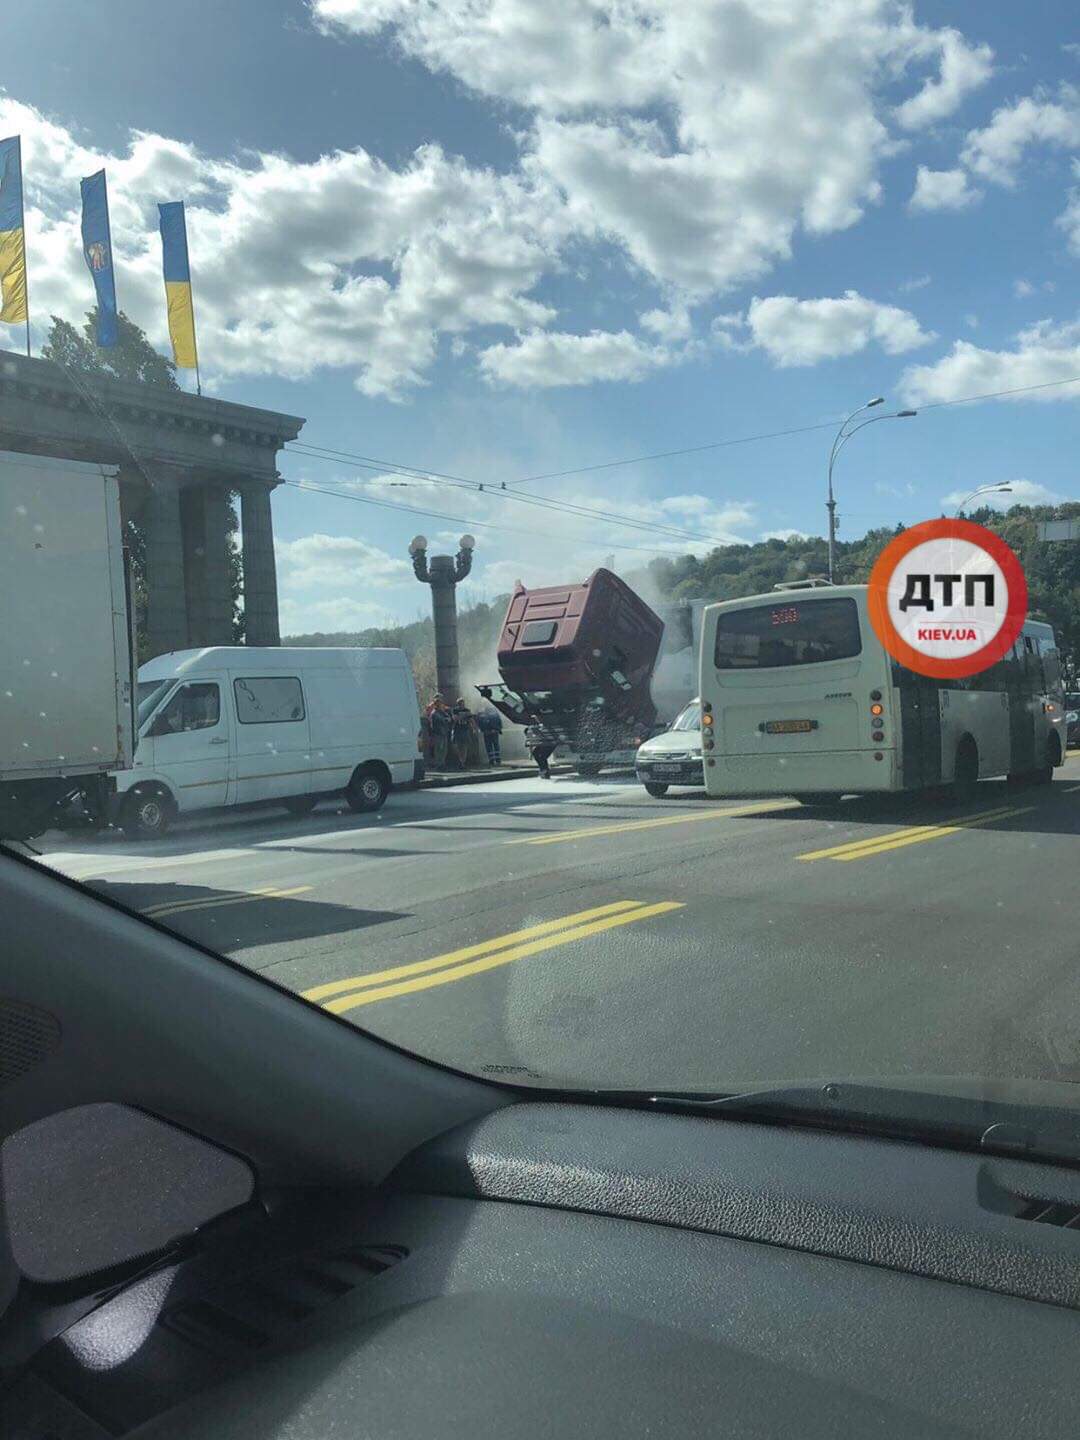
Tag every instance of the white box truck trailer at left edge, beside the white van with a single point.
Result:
(67, 663)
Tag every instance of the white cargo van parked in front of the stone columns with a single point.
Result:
(238, 725)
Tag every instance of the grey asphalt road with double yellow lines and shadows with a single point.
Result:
(582, 934)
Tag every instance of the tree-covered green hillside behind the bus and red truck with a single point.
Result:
(1053, 574)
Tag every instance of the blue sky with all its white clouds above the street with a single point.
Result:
(498, 238)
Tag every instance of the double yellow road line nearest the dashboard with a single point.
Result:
(474, 960)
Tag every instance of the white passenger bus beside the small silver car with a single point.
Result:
(801, 699)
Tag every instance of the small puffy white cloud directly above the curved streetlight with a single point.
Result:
(804, 332)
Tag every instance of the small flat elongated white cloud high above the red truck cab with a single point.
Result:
(544, 359)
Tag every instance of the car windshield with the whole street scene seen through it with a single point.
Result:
(460, 397)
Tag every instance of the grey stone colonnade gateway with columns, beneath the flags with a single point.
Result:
(181, 457)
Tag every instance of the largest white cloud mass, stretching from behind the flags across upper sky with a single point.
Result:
(662, 130)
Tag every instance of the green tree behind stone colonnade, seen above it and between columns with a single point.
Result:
(136, 361)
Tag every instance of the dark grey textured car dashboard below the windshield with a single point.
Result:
(562, 1269)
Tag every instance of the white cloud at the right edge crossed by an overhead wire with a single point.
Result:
(1045, 354)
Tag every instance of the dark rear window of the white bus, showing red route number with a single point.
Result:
(790, 633)
